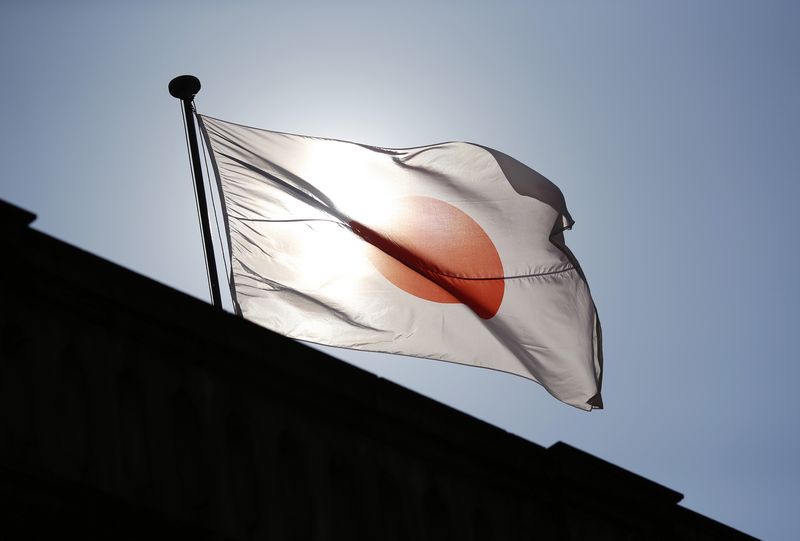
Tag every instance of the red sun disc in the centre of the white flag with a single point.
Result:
(436, 252)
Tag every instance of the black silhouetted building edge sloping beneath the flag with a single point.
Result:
(129, 410)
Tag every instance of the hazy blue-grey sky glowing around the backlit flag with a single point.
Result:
(671, 127)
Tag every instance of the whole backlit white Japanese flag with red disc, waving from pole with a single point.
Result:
(451, 251)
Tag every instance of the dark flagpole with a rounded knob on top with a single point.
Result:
(185, 87)
